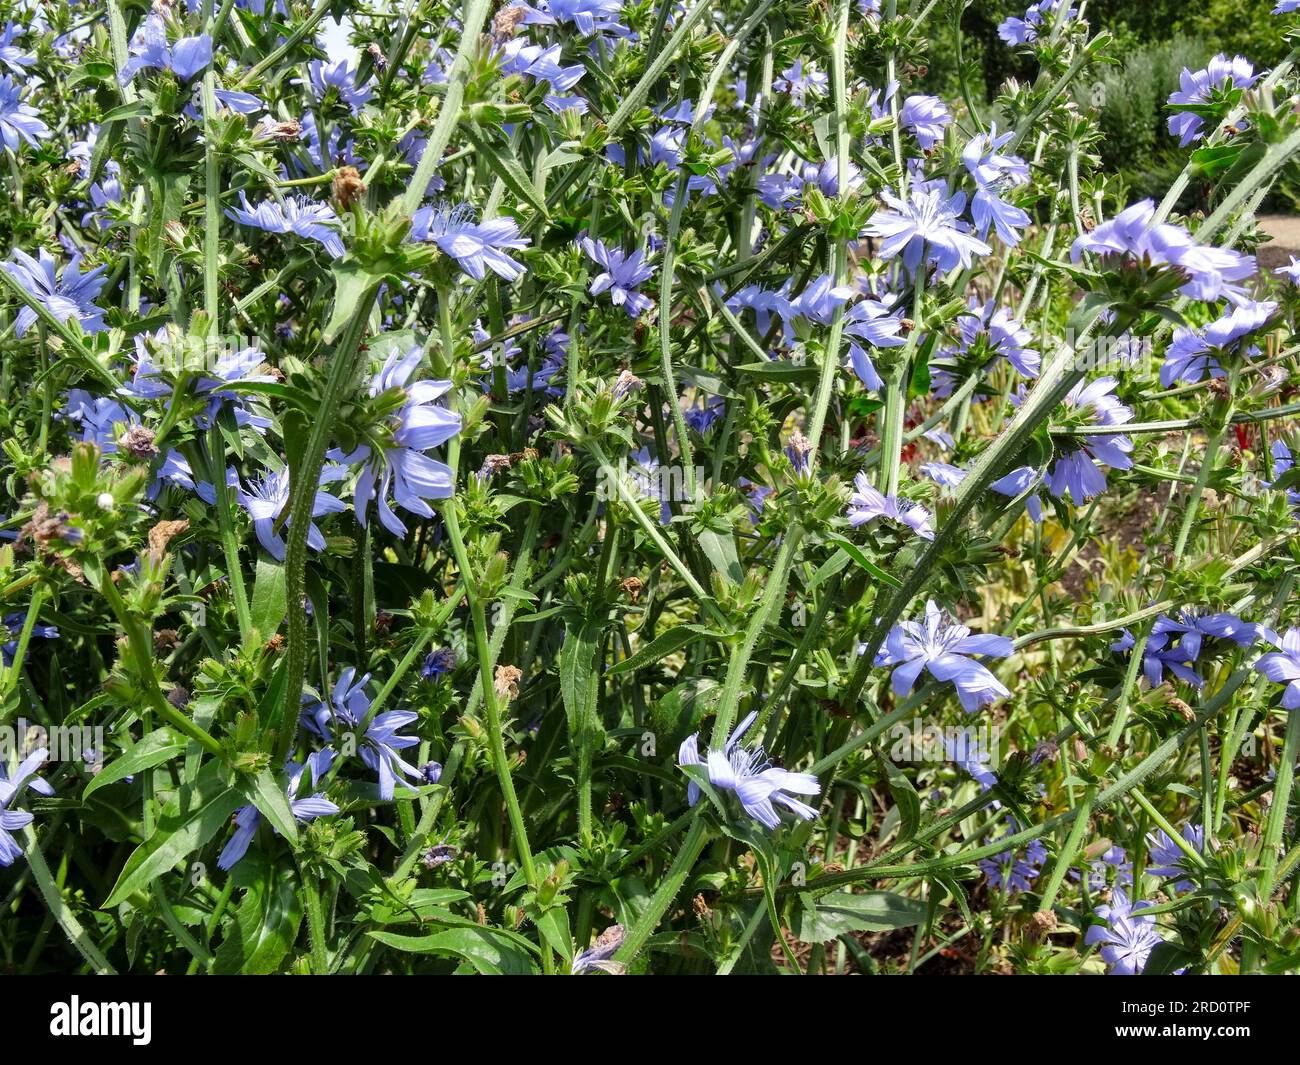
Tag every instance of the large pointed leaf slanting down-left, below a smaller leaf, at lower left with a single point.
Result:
(188, 822)
